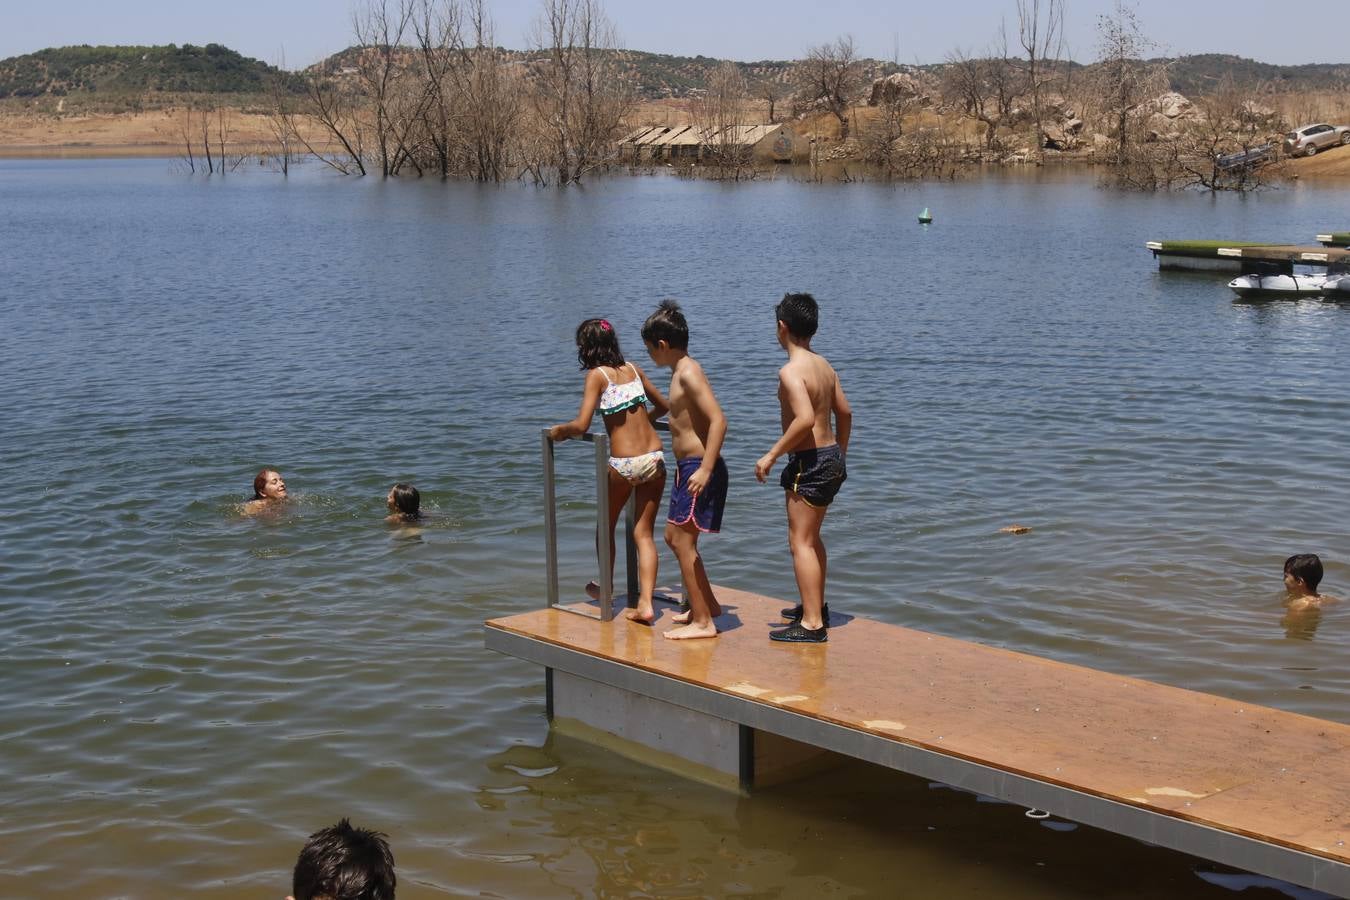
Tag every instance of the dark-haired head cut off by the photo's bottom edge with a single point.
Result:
(344, 863)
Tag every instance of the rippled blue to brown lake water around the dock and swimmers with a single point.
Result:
(186, 694)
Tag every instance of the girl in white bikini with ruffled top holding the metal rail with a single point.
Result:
(620, 392)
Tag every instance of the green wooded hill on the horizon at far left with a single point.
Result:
(132, 71)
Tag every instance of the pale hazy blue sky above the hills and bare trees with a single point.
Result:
(1290, 32)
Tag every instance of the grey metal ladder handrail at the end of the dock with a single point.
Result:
(607, 577)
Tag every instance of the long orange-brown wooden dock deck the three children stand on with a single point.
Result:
(1245, 786)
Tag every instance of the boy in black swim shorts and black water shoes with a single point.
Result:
(808, 393)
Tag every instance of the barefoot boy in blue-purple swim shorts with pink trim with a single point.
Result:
(699, 497)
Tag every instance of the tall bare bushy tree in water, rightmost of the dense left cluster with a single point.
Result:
(580, 95)
